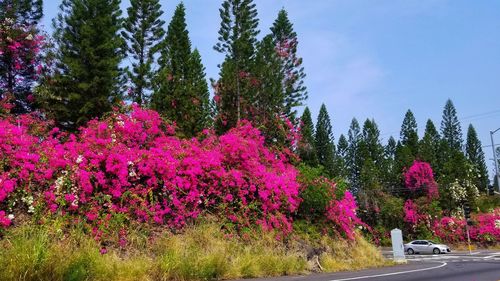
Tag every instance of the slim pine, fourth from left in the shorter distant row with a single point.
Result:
(353, 158)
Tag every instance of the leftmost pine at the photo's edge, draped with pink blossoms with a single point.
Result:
(20, 57)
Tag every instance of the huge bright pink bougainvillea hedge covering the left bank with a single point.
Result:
(131, 165)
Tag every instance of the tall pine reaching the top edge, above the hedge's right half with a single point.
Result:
(237, 41)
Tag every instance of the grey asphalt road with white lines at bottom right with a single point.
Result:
(450, 267)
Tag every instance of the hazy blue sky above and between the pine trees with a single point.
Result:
(377, 59)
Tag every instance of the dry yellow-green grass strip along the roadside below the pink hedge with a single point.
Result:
(201, 252)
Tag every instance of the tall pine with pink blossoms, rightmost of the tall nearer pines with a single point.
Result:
(285, 40)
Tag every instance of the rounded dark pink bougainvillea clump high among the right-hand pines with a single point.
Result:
(420, 177)
